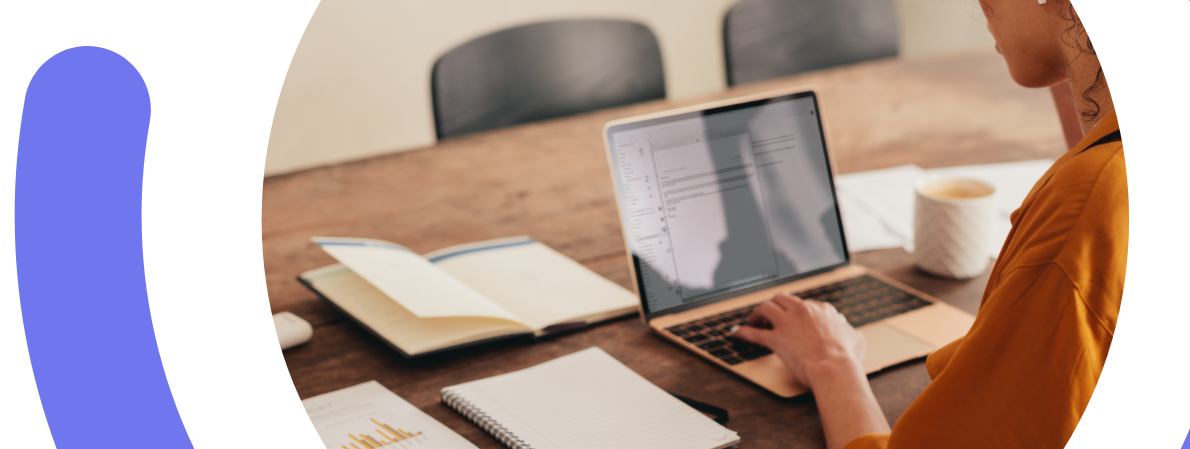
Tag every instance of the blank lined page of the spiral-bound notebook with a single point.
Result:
(588, 400)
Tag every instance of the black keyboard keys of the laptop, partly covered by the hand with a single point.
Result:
(862, 301)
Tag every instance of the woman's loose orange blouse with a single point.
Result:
(1025, 373)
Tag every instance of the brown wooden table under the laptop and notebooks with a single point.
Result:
(550, 180)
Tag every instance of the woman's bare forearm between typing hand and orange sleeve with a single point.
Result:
(847, 404)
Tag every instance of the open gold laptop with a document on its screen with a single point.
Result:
(726, 204)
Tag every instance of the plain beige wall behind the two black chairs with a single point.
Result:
(359, 84)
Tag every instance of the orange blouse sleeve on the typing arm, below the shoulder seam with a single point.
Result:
(1023, 376)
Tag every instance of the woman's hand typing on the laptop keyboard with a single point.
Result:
(811, 338)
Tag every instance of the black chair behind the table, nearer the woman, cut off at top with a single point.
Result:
(773, 39)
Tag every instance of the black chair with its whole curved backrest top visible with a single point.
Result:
(544, 71)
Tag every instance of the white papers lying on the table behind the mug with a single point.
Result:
(878, 205)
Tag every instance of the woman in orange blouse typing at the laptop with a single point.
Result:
(1025, 373)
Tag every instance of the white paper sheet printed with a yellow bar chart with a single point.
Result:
(369, 413)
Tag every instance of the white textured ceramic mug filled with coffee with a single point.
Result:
(954, 222)
